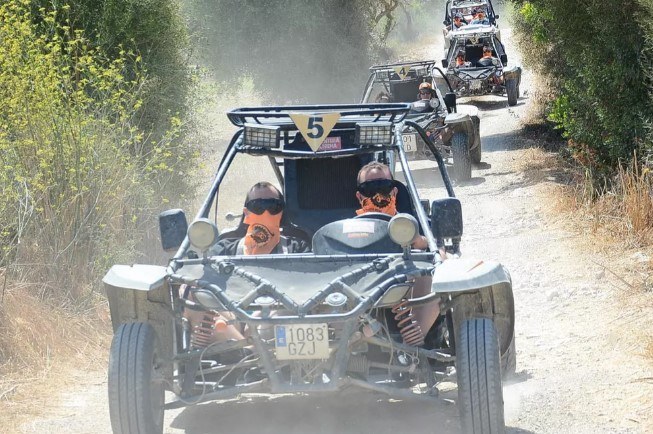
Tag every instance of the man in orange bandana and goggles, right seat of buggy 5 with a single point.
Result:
(377, 192)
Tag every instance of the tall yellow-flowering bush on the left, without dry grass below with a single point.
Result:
(78, 175)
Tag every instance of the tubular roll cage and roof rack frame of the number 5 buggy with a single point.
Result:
(351, 115)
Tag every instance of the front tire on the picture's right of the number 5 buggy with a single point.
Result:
(478, 367)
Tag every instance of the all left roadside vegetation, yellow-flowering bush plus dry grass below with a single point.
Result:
(88, 160)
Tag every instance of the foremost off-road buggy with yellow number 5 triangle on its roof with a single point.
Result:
(323, 321)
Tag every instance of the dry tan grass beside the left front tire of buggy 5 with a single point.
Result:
(39, 343)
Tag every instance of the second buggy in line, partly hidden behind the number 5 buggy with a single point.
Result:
(454, 129)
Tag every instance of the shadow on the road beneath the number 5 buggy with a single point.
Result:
(348, 412)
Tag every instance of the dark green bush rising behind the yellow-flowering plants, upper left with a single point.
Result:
(155, 29)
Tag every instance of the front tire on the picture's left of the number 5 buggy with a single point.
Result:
(136, 395)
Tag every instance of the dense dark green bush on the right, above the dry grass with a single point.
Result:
(593, 53)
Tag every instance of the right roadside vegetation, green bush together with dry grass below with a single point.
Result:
(595, 62)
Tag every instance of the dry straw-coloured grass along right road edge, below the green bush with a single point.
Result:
(616, 224)
